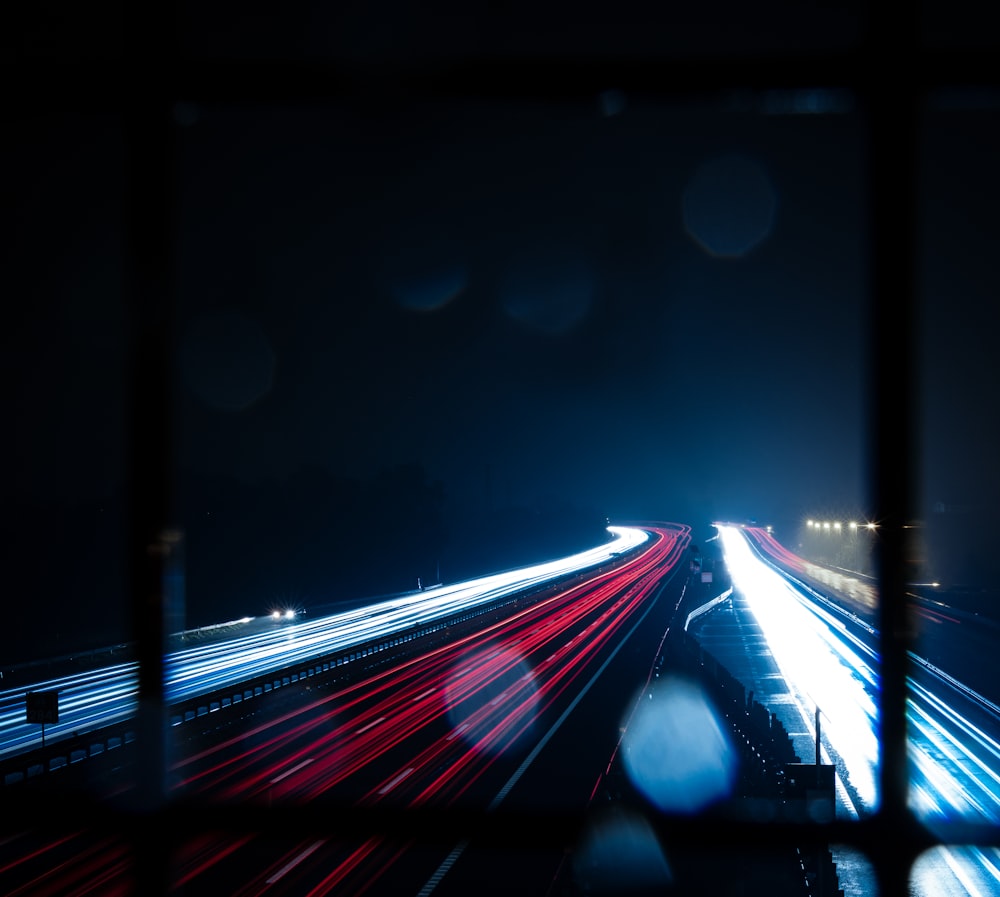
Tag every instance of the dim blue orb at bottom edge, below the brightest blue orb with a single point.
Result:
(620, 854)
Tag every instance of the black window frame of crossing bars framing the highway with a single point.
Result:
(889, 75)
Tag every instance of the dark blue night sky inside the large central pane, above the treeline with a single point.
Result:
(512, 287)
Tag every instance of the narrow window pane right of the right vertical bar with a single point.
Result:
(954, 599)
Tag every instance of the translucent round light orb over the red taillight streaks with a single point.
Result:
(492, 699)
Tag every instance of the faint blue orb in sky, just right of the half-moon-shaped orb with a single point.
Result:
(549, 292)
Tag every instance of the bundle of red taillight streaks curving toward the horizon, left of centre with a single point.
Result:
(491, 688)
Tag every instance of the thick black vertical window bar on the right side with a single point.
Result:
(891, 109)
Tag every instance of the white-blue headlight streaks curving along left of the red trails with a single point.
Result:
(109, 695)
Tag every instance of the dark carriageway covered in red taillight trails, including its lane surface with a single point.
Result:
(460, 724)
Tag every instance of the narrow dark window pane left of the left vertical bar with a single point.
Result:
(63, 451)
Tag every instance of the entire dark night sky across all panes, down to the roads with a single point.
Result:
(470, 323)
